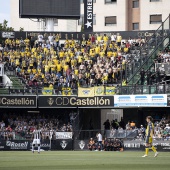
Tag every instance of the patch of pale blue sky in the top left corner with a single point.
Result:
(5, 11)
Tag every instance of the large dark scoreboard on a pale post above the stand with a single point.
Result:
(60, 9)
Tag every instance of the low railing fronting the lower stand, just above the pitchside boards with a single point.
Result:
(134, 134)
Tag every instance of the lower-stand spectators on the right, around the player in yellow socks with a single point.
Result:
(161, 131)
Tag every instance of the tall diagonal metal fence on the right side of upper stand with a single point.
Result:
(145, 55)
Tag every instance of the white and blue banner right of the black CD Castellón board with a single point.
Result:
(156, 100)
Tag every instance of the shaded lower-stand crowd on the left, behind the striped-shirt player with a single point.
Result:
(14, 125)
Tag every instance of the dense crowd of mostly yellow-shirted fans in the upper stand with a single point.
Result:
(42, 61)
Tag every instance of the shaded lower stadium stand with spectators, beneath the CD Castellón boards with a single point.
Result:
(20, 126)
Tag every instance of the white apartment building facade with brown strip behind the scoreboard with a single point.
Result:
(108, 15)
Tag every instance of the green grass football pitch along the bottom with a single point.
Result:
(83, 160)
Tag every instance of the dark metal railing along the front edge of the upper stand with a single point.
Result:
(159, 88)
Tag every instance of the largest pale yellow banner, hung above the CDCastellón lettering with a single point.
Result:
(86, 92)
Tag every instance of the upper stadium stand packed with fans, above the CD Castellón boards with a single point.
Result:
(35, 63)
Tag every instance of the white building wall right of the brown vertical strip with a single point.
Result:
(148, 8)
